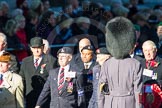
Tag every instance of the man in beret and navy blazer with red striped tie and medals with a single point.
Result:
(64, 84)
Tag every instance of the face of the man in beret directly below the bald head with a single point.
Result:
(86, 55)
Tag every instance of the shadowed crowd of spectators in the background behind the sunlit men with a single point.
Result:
(64, 23)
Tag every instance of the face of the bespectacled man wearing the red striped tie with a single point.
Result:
(64, 59)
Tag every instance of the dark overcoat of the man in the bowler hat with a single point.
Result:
(34, 78)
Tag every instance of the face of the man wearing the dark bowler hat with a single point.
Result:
(37, 51)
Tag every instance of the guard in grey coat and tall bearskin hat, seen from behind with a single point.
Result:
(122, 73)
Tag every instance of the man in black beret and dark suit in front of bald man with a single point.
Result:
(85, 65)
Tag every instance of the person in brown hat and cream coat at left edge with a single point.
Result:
(11, 85)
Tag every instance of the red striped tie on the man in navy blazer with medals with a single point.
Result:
(61, 81)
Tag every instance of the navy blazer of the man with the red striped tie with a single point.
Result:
(65, 99)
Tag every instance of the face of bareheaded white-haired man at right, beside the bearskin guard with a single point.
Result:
(149, 52)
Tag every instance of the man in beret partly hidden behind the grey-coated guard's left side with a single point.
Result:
(102, 55)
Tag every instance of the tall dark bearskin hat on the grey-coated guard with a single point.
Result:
(120, 37)
